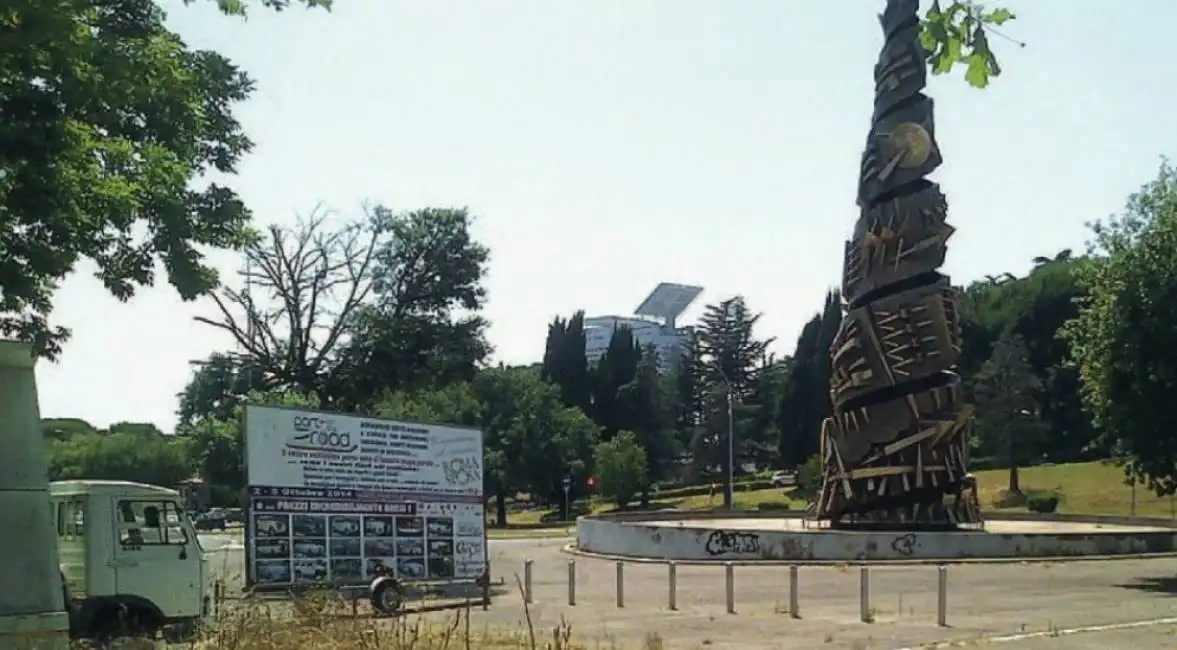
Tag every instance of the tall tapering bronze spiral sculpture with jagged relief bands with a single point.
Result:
(896, 450)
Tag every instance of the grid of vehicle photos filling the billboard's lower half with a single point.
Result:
(437, 542)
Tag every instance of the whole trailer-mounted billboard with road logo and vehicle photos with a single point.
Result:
(333, 498)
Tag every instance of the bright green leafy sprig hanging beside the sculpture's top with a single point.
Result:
(957, 35)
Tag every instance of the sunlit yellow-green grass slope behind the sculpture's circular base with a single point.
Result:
(1095, 488)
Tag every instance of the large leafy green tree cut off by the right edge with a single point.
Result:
(1126, 330)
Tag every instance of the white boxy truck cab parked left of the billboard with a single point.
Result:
(130, 559)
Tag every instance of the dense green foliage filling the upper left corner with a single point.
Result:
(109, 120)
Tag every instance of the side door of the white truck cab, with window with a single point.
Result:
(156, 560)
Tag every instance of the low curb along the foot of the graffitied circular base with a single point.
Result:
(571, 549)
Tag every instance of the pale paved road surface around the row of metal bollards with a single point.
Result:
(1029, 606)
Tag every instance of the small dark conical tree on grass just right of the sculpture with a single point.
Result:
(1008, 413)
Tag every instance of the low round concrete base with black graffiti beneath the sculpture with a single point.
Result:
(783, 538)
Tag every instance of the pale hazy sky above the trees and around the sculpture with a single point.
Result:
(608, 147)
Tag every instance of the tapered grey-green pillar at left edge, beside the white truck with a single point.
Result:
(32, 613)
